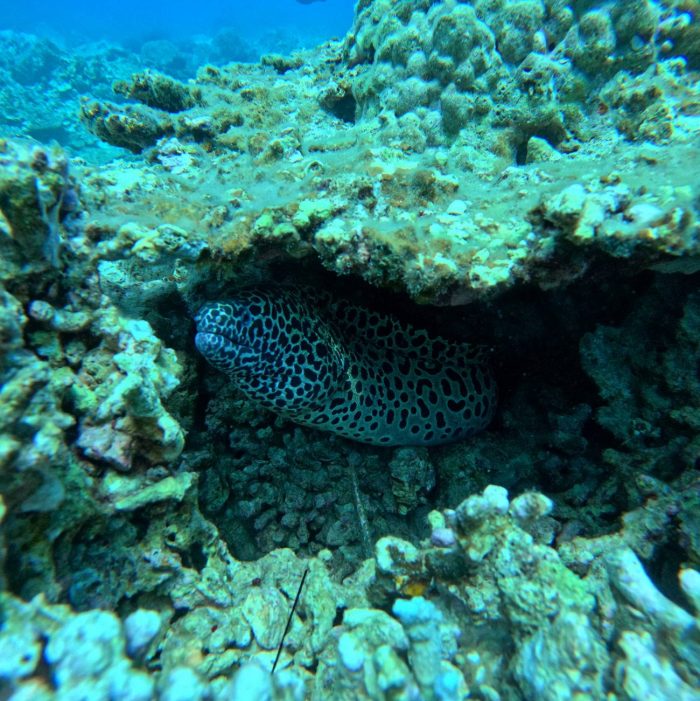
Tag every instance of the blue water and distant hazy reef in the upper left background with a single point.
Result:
(53, 54)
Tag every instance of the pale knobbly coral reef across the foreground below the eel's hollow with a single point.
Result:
(496, 613)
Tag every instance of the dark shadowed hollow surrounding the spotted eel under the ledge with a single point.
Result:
(536, 339)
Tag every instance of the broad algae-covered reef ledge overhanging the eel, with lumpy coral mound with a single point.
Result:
(480, 165)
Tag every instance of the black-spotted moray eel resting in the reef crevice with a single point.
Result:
(329, 364)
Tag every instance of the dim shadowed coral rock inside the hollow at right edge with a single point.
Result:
(655, 419)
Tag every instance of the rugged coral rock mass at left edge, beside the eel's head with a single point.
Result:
(79, 380)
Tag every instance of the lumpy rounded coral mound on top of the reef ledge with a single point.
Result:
(426, 58)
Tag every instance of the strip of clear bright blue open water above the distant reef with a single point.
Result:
(131, 21)
